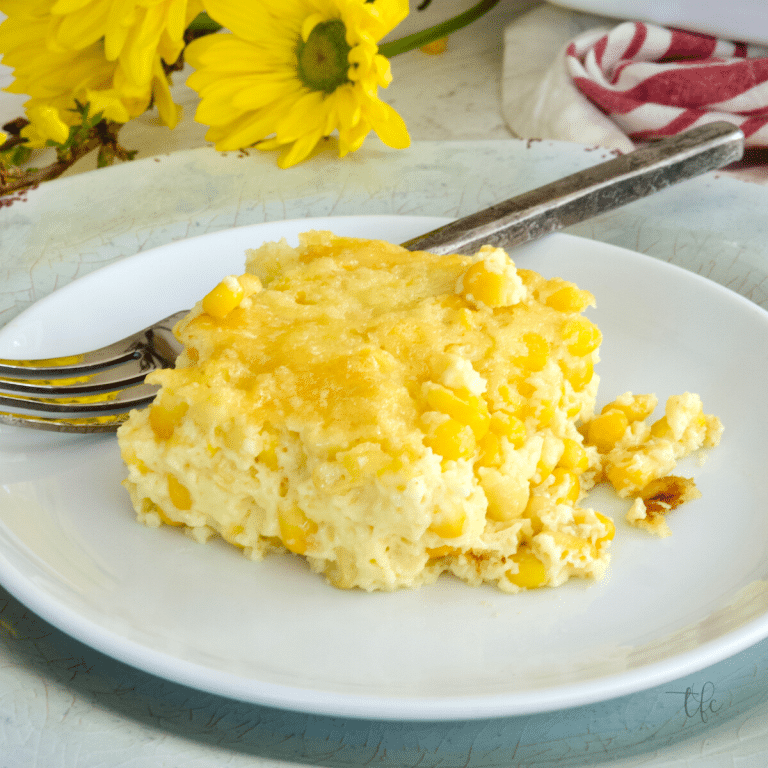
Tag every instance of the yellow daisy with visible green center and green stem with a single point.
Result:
(294, 71)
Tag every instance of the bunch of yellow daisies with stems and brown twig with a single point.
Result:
(272, 74)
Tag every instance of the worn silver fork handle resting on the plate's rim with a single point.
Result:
(586, 194)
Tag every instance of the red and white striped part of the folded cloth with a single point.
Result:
(656, 82)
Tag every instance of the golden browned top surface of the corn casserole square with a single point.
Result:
(352, 341)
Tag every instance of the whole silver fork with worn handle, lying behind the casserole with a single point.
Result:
(93, 391)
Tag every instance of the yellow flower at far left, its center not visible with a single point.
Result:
(105, 52)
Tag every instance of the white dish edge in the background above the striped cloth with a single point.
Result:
(738, 20)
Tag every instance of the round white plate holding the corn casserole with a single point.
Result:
(273, 633)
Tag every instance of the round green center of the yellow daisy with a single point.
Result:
(322, 63)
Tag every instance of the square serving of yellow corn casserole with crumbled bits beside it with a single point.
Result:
(390, 416)
